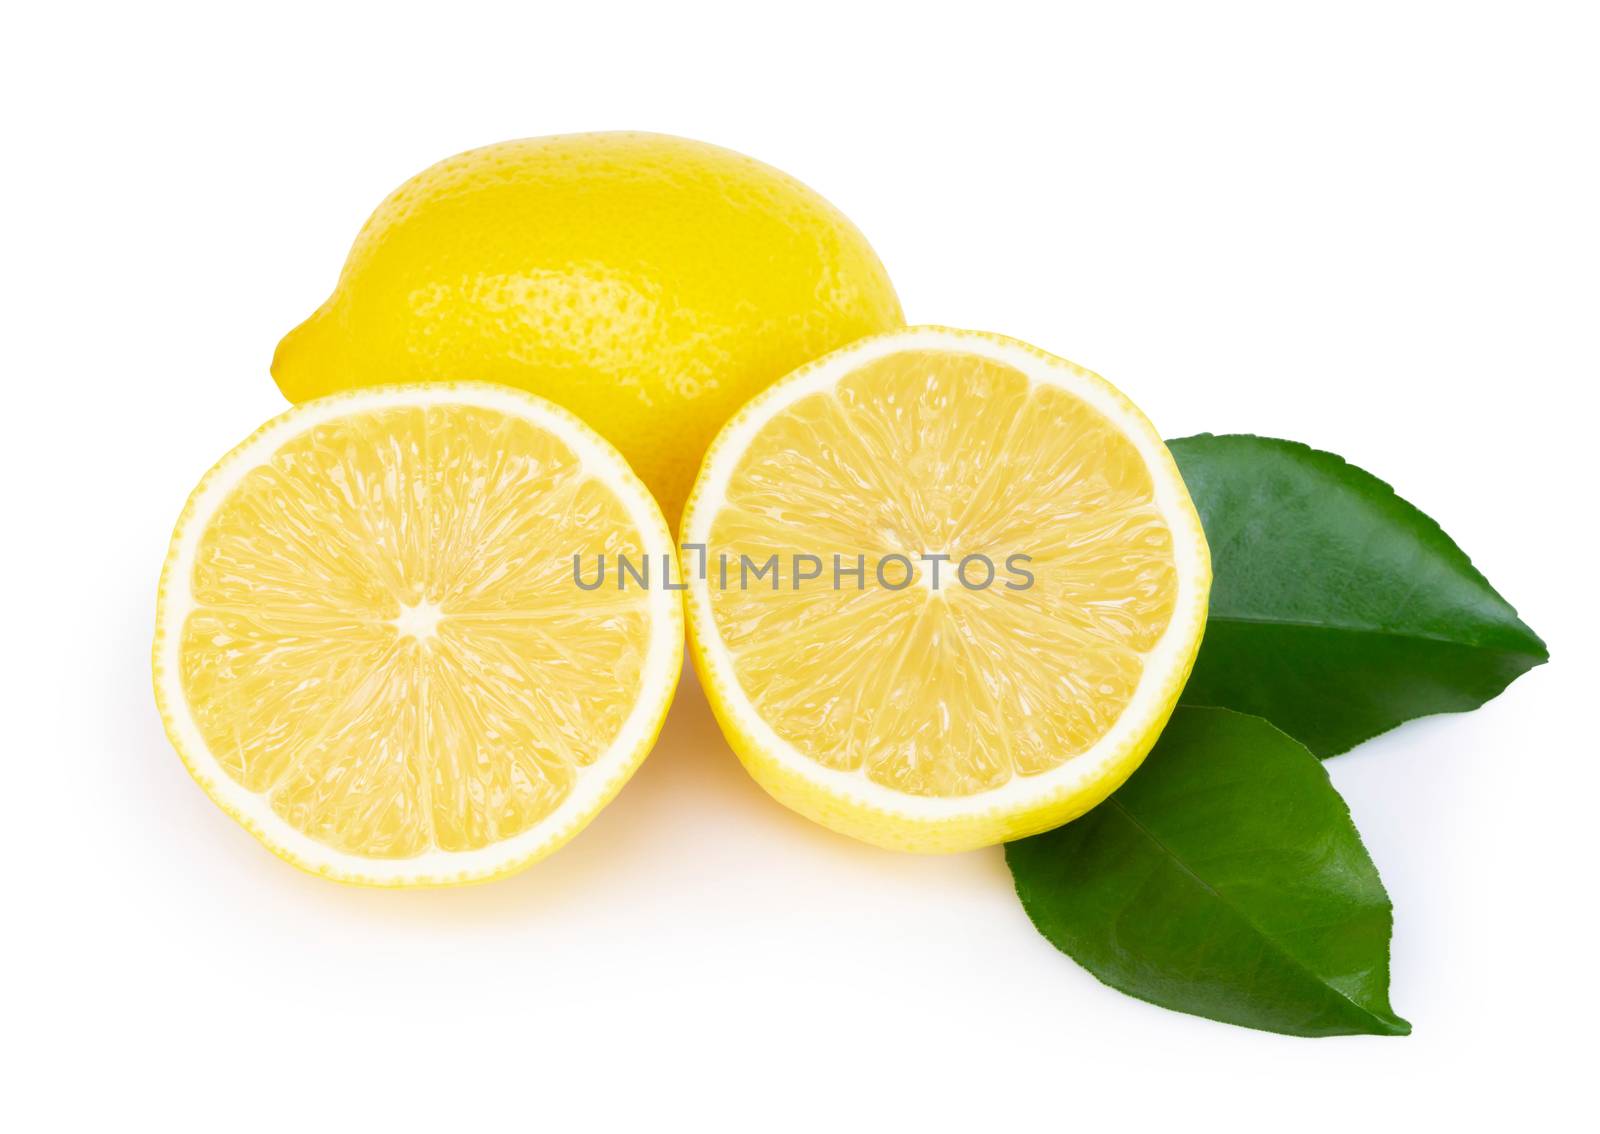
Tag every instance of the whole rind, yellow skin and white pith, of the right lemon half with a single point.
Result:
(855, 805)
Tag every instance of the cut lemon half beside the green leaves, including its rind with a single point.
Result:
(945, 589)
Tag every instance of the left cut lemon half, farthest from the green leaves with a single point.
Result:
(372, 649)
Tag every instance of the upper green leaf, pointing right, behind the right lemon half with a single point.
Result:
(1338, 610)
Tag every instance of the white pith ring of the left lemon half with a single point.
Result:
(596, 785)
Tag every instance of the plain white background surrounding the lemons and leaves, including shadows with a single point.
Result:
(1367, 228)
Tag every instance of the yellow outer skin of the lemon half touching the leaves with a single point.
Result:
(900, 831)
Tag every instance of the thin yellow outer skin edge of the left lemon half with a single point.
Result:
(350, 871)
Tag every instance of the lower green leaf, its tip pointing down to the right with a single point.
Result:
(1226, 880)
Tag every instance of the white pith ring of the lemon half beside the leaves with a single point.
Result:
(1166, 665)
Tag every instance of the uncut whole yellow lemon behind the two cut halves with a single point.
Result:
(649, 284)
